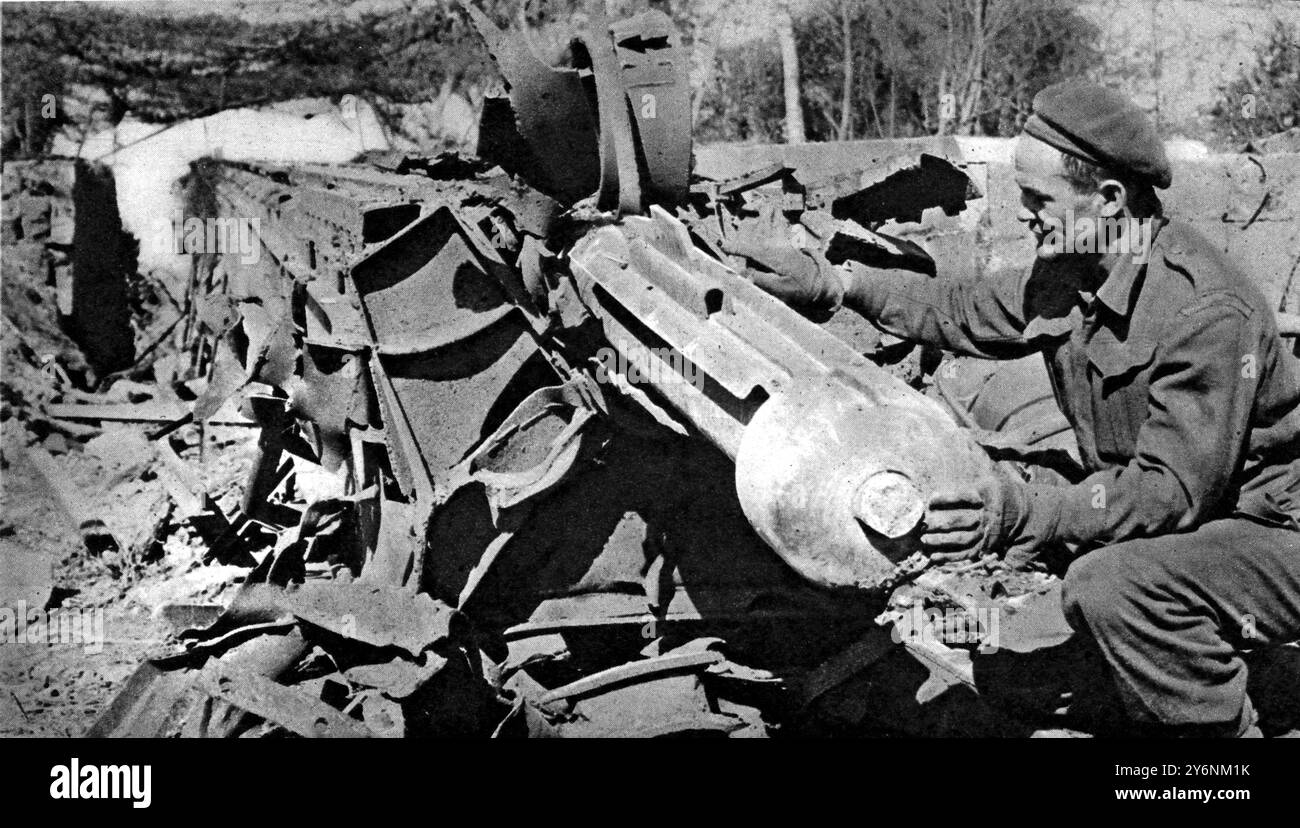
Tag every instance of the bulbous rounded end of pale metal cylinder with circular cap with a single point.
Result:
(838, 484)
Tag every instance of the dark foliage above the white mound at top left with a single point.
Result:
(180, 67)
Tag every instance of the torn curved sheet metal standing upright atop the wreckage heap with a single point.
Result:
(622, 133)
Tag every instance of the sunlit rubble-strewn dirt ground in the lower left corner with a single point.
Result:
(54, 687)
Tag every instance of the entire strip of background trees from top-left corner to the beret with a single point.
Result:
(869, 68)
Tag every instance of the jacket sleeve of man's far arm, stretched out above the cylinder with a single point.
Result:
(974, 317)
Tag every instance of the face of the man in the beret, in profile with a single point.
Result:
(1047, 200)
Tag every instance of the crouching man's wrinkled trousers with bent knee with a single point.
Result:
(1173, 614)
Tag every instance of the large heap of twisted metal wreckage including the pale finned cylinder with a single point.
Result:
(536, 544)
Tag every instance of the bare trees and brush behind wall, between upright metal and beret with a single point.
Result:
(904, 55)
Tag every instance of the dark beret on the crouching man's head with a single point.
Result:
(1100, 127)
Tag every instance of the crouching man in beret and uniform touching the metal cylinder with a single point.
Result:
(1167, 361)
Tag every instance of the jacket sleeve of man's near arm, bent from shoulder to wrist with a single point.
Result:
(1201, 402)
